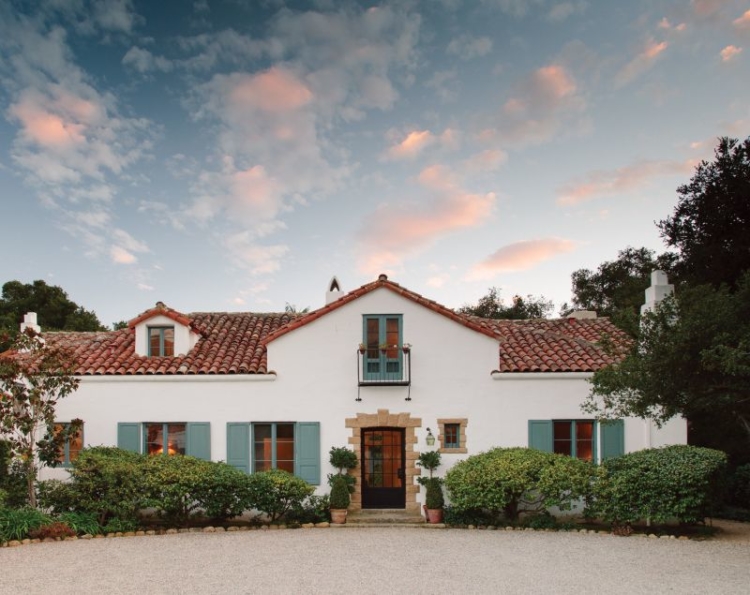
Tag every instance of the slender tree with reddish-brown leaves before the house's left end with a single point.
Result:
(33, 378)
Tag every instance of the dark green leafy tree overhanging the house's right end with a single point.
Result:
(691, 358)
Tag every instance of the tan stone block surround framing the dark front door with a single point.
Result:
(384, 418)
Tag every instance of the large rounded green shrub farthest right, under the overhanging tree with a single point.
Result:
(660, 484)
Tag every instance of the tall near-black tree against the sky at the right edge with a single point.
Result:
(710, 224)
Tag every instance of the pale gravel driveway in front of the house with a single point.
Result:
(377, 560)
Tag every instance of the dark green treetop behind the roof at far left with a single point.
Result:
(55, 311)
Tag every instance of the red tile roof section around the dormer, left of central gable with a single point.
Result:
(230, 344)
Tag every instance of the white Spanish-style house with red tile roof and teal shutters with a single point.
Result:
(381, 369)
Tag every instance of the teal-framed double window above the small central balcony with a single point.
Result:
(383, 340)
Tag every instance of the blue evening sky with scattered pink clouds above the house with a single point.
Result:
(227, 155)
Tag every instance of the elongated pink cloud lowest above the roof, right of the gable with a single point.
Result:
(519, 256)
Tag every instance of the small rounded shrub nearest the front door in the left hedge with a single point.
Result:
(276, 492)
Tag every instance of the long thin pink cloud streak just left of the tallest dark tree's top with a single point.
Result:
(619, 181)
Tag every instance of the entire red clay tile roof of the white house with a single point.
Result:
(235, 343)
